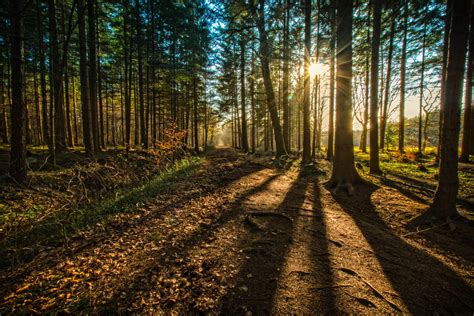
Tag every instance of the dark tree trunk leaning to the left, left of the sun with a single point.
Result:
(267, 81)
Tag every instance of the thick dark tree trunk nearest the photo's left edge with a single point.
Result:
(18, 107)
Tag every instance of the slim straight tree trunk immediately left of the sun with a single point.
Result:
(307, 84)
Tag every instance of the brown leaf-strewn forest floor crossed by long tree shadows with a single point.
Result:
(229, 233)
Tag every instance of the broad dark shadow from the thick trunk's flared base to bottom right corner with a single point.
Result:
(424, 284)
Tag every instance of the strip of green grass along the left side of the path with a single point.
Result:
(66, 223)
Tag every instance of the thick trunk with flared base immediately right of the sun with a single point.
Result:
(344, 174)
